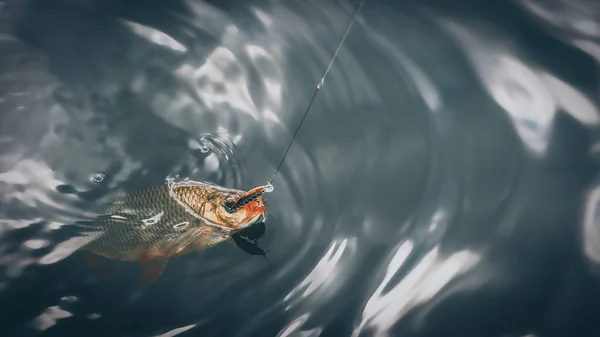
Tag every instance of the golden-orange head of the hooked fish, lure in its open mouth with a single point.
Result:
(240, 211)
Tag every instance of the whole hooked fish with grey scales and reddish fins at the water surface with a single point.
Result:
(161, 222)
